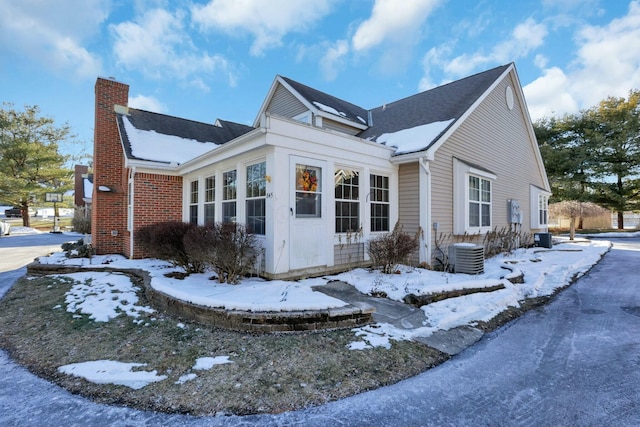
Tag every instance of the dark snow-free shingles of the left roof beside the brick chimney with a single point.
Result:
(183, 128)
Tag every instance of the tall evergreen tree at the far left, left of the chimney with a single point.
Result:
(30, 161)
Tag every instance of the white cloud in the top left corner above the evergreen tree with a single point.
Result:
(51, 35)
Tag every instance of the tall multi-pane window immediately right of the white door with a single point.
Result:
(347, 197)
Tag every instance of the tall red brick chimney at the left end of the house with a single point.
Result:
(109, 210)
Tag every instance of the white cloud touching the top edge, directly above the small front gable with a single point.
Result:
(268, 23)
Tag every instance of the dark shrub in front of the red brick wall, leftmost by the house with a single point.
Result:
(165, 240)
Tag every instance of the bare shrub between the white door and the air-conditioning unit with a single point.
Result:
(390, 250)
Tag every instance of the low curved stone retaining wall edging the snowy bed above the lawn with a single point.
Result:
(251, 321)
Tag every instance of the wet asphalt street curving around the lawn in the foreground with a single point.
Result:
(573, 362)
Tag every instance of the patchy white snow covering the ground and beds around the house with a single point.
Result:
(104, 295)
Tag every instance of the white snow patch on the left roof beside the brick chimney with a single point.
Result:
(157, 147)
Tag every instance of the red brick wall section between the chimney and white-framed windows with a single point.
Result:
(157, 198)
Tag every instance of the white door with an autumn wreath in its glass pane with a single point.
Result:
(308, 216)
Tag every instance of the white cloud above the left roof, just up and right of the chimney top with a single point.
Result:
(157, 45)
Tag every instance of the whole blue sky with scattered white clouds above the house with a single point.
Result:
(208, 59)
